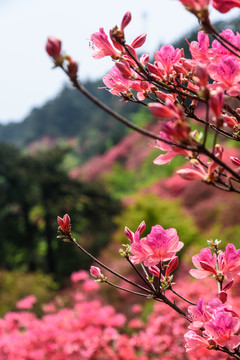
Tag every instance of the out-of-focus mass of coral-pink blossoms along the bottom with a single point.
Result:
(91, 330)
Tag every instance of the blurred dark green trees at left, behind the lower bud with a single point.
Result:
(36, 190)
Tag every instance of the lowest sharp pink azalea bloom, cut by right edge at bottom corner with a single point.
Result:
(223, 328)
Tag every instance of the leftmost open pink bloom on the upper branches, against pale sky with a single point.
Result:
(102, 46)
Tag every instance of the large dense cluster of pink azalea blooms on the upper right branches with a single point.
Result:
(207, 79)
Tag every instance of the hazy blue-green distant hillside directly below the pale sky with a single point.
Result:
(71, 115)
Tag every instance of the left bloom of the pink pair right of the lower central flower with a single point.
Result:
(205, 263)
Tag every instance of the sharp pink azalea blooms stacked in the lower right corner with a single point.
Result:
(218, 322)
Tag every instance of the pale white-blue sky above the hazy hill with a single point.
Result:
(26, 76)
